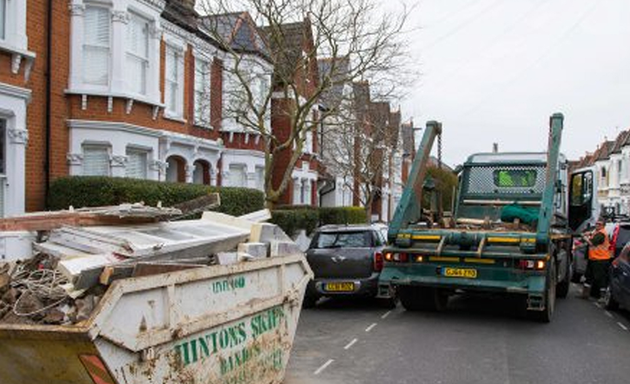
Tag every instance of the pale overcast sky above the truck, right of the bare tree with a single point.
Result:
(495, 70)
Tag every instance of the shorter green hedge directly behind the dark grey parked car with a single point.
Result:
(293, 218)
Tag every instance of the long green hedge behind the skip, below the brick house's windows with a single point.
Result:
(93, 191)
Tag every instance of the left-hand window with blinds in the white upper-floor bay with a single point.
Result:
(96, 46)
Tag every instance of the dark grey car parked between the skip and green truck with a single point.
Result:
(347, 261)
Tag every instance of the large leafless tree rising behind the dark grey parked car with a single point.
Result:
(354, 29)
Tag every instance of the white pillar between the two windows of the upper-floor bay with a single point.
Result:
(120, 19)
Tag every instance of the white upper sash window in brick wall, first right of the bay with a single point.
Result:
(173, 82)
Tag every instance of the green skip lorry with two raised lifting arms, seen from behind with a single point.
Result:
(509, 232)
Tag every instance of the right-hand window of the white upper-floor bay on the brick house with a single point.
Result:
(137, 54)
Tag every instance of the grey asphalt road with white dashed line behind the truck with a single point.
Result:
(478, 339)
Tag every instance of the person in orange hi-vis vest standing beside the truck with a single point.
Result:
(599, 256)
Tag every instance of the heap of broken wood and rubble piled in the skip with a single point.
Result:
(80, 255)
